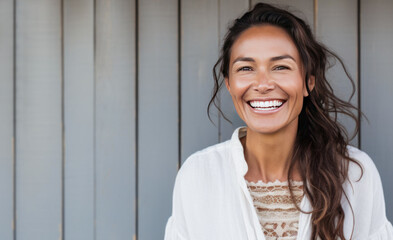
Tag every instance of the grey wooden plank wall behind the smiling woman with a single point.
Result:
(101, 101)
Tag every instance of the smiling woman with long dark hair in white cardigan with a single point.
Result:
(290, 174)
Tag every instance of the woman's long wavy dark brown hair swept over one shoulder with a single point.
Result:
(321, 143)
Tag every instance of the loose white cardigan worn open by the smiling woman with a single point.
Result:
(211, 200)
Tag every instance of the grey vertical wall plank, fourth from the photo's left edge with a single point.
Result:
(115, 119)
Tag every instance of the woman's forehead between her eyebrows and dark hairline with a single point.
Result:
(264, 42)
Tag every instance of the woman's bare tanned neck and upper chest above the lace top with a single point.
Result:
(269, 155)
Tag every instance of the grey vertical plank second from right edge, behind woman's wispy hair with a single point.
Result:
(337, 29)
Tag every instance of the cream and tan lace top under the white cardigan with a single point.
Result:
(276, 211)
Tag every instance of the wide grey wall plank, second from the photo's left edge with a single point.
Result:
(38, 120)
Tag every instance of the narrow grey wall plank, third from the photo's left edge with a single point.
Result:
(79, 119)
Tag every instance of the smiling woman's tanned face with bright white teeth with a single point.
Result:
(266, 79)
